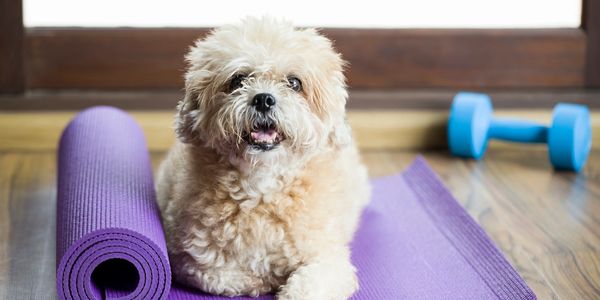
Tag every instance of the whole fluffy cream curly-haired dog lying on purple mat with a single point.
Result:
(264, 187)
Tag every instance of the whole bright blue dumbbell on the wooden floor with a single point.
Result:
(471, 125)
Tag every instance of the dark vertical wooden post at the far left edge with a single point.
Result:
(11, 47)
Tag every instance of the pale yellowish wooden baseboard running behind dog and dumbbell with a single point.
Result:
(407, 129)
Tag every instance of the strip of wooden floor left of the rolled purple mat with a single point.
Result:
(31, 206)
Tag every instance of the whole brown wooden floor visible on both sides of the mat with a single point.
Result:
(547, 223)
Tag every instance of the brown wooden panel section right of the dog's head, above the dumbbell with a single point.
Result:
(463, 58)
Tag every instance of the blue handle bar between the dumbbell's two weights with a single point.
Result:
(518, 131)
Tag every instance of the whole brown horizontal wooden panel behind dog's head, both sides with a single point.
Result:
(129, 58)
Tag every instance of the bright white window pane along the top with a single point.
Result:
(338, 13)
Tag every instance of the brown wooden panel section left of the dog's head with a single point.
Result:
(107, 58)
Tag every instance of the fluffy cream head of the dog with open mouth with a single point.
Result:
(262, 88)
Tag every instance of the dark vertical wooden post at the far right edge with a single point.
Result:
(591, 25)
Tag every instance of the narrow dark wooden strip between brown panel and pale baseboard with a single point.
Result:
(423, 99)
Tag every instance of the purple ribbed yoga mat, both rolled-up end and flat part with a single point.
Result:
(414, 241)
